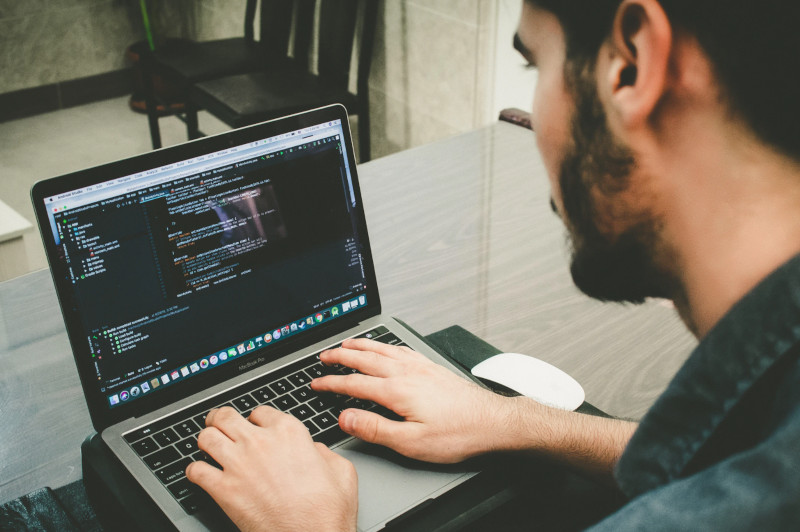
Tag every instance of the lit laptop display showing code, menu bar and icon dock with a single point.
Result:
(177, 271)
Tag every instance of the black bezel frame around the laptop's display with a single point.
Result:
(101, 413)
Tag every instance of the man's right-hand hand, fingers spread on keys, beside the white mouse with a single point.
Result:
(447, 418)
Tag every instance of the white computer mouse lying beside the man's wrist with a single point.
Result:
(532, 378)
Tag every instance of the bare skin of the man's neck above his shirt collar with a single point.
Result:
(736, 215)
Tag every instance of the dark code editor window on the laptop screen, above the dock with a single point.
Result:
(172, 274)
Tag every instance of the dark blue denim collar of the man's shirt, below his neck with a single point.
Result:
(738, 350)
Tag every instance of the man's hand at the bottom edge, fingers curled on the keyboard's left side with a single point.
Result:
(274, 477)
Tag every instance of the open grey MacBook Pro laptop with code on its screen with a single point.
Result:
(213, 273)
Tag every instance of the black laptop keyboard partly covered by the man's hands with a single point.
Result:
(168, 445)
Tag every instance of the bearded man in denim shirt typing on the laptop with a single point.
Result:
(669, 130)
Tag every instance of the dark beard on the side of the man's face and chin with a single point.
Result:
(621, 267)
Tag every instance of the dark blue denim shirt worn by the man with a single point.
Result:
(720, 449)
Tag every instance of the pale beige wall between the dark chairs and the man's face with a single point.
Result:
(431, 71)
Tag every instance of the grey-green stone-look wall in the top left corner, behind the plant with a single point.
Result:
(44, 42)
